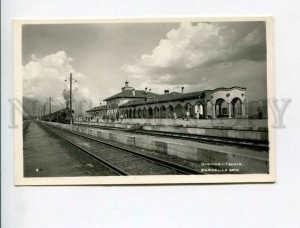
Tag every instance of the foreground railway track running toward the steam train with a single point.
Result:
(121, 160)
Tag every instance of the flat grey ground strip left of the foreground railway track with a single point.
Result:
(46, 155)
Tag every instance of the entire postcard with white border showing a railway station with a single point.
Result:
(141, 101)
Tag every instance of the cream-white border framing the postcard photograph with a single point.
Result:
(140, 180)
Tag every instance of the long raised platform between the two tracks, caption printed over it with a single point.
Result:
(220, 156)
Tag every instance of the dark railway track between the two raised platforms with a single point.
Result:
(253, 144)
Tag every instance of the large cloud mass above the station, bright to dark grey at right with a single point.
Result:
(205, 55)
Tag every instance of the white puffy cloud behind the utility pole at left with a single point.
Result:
(45, 77)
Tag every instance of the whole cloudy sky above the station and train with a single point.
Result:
(159, 56)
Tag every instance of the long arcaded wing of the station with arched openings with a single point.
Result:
(218, 103)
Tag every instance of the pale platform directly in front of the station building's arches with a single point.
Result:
(241, 129)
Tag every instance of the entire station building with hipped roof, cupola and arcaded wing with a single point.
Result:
(143, 104)
